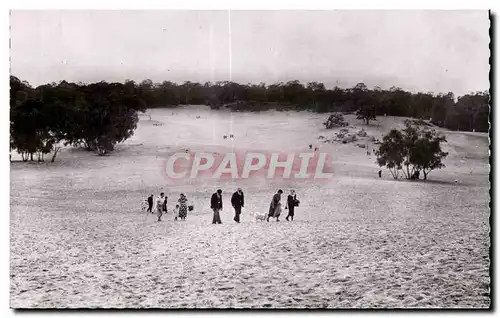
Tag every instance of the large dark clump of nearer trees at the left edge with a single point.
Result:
(95, 116)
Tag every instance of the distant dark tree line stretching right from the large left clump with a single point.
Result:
(470, 112)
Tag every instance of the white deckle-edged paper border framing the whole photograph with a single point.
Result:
(185, 4)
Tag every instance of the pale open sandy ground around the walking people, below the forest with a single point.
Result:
(79, 239)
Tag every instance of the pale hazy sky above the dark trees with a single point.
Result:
(435, 51)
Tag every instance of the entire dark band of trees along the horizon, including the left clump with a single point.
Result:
(99, 115)
